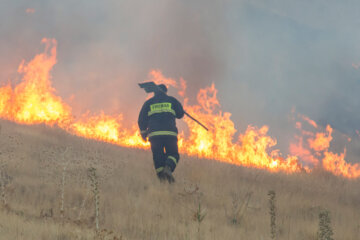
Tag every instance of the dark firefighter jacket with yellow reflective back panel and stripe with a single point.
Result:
(157, 115)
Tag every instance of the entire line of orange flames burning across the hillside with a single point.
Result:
(34, 101)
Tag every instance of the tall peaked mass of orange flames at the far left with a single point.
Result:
(33, 100)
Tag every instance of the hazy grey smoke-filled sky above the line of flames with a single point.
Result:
(265, 57)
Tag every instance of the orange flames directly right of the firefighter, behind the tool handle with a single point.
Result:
(253, 148)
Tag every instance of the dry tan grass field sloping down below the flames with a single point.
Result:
(46, 193)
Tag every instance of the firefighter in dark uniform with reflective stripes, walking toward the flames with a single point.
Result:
(157, 122)
